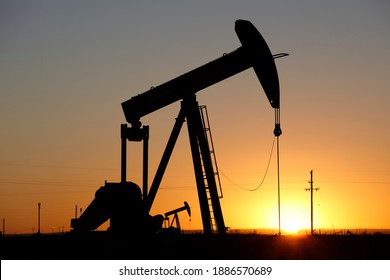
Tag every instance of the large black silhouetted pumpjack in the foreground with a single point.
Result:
(123, 203)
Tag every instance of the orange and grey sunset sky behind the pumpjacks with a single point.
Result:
(66, 67)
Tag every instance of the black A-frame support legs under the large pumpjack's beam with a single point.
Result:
(210, 207)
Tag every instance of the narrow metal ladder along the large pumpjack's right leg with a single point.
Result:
(207, 131)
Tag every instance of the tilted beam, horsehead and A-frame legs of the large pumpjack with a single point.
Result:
(255, 53)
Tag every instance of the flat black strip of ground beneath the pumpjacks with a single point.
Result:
(197, 246)
